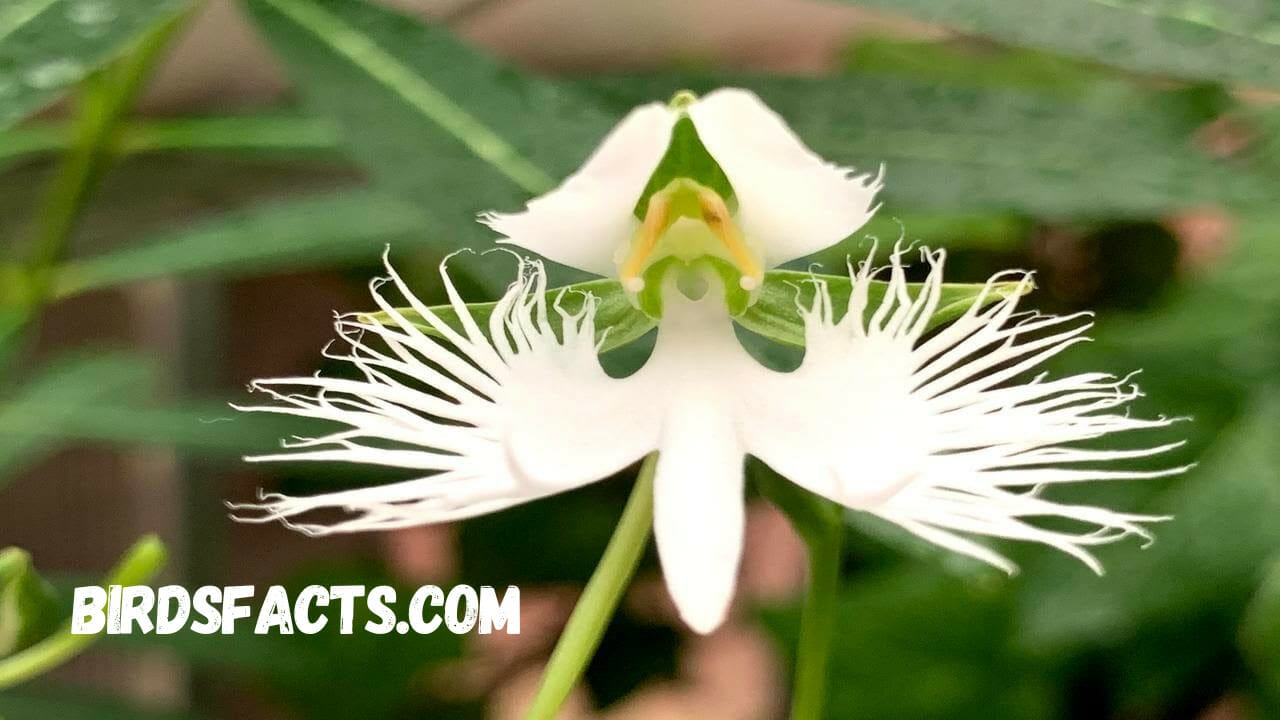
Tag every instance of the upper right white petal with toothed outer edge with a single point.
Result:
(792, 203)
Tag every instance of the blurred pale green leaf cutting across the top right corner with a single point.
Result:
(1231, 42)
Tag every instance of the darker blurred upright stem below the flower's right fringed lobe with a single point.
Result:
(819, 621)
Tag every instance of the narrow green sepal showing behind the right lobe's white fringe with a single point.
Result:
(776, 313)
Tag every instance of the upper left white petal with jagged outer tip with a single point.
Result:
(583, 222)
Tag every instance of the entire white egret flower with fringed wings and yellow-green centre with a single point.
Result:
(927, 430)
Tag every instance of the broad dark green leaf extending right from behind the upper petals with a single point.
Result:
(964, 149)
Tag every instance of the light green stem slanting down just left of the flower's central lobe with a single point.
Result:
(595, 609)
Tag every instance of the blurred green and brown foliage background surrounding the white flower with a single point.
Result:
(1128, 151)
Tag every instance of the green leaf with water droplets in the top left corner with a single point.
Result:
(48, 47)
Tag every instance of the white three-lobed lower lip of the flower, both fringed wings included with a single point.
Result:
(930, 435)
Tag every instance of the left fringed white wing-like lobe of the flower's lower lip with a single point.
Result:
(496, 416)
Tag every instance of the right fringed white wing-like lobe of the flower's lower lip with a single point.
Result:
(932, 435)
